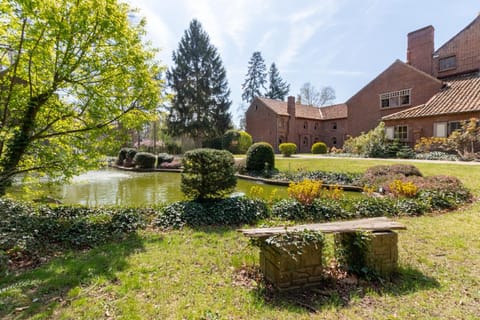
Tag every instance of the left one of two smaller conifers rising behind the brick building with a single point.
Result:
(256, 78)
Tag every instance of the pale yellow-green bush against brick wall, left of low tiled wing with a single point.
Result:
(371, 144)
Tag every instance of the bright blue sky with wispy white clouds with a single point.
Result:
(339, 43)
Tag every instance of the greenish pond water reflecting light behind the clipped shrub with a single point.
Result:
(115, 187)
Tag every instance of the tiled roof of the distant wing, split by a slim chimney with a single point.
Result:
(336, 111)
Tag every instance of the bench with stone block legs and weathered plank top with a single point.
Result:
(287, 272)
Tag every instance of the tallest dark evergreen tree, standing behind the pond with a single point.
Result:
(201, 101)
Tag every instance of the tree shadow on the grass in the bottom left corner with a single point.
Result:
(38, 292)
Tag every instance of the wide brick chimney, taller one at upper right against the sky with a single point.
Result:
(420, 49)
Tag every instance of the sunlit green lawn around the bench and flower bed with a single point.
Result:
(201, 273)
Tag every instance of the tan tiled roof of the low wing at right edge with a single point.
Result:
(460, 94)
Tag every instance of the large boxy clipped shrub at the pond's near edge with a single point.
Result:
(208, 174)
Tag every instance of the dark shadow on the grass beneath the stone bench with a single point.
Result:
(338, 293)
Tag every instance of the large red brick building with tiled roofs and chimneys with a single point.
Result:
(429, 95)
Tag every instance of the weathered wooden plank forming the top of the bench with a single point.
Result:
(370, 224)
